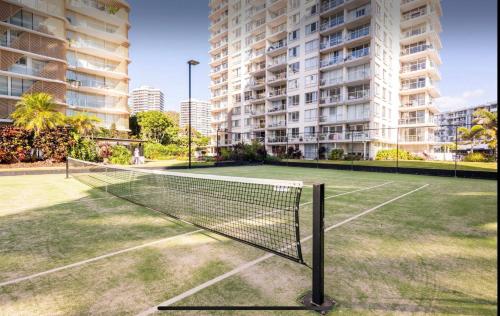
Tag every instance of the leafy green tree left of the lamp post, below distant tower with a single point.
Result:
(156, 126)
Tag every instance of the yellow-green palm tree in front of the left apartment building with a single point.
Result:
(37, 112)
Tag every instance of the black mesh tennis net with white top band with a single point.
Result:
(259, 212)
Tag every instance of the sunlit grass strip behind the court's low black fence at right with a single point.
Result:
(447, 165)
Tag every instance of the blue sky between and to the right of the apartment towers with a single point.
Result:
(165, 34)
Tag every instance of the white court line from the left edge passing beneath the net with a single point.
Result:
(76, 264)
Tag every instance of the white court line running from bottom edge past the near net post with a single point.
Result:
(242, 267)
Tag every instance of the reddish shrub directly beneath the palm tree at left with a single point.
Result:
(54, 143)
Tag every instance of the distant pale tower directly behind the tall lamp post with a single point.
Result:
(200, 115)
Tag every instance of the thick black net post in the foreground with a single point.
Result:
(318, 281)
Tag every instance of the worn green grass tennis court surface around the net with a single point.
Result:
(427, 244)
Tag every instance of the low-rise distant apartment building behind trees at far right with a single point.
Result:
(450, 120)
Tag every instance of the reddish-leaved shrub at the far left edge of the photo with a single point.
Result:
(14, 144)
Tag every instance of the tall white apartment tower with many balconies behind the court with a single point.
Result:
(325, 74)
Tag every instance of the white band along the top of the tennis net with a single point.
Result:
(277, 183)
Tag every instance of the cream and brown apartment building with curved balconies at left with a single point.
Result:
(76, 50)
